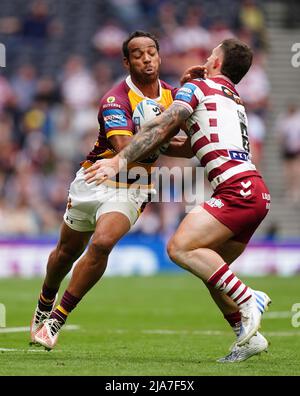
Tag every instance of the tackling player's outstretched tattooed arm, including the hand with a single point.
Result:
(150, 137)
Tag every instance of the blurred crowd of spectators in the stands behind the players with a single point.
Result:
(49, 100)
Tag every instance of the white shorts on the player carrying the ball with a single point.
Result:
(87, 202)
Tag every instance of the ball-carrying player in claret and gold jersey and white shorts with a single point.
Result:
(106, 212)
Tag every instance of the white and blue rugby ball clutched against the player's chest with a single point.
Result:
(144, 112)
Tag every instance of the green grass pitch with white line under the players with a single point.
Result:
(146, 326)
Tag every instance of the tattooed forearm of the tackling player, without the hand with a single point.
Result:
(155, 132)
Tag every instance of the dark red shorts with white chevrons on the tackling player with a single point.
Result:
(241, 205)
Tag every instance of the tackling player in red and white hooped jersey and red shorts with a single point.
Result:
(213, 235)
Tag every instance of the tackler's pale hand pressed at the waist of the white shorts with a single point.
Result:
(102, 170)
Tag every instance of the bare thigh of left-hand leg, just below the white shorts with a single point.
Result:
(72, 242)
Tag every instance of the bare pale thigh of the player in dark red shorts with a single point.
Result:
(200, 229)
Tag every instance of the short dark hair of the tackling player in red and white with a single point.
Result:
(237, 59)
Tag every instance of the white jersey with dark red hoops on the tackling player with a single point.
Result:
(218, 127)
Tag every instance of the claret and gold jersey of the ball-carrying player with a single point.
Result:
(115, 118)
